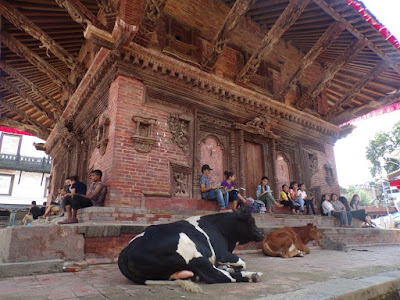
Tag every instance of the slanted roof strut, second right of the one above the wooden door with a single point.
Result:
(324, 81)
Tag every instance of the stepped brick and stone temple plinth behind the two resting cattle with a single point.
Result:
(102, 232)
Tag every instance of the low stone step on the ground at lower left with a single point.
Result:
(31, 268)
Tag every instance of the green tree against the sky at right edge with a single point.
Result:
(382, 145)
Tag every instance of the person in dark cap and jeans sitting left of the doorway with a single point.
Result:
(209, 192)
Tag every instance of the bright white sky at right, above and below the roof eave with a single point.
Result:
(351, 164)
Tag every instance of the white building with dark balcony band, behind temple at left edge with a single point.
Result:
(24, 171)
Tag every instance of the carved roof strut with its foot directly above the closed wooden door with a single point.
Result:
(291, 13)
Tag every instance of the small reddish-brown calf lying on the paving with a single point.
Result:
(290, 241)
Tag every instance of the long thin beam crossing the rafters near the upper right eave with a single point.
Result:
(336, 16)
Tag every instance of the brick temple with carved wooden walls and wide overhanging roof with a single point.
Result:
(150, 90)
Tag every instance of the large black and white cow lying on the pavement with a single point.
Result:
(199, 248)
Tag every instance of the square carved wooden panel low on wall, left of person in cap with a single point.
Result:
(180, 180)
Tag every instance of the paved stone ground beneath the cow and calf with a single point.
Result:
(323, 274)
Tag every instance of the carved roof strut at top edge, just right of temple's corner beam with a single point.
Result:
(152, 13)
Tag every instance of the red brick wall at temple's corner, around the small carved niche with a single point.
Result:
(129, 172)
